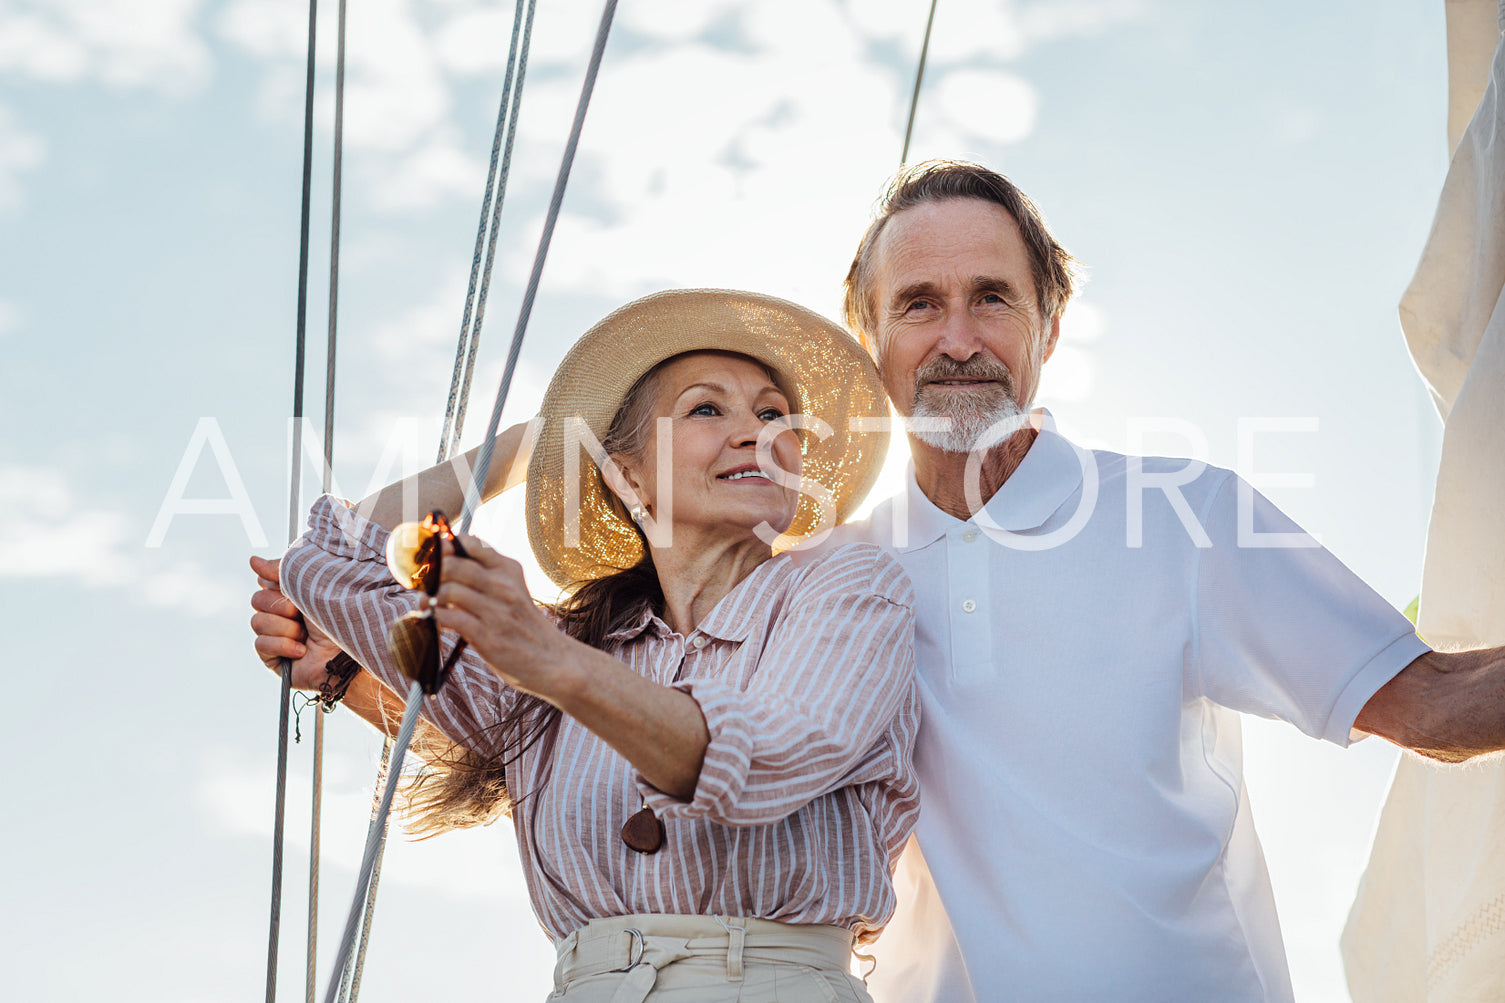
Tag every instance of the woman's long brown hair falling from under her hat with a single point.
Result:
(463, 785)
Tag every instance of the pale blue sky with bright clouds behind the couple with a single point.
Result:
(1248, 184)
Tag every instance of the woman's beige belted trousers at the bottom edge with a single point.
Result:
(705, 960)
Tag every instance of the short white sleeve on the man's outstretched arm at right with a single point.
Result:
(1283, 629)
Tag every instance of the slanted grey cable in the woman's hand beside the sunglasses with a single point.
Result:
(482, 468)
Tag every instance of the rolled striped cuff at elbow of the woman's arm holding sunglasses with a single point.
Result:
(728, 761)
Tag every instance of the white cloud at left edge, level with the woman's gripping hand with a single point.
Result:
(100, 549)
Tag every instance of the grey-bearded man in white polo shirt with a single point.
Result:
(1089, 626)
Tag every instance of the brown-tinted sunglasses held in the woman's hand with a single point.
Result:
(415, 555)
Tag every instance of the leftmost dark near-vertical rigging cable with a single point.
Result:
(293, 511)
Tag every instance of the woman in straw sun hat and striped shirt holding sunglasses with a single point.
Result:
(705, 749)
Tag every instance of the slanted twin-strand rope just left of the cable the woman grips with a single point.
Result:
(457, 406)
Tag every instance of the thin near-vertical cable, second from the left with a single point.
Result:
(317, 808)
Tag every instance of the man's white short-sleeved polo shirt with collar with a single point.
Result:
(1083, 809)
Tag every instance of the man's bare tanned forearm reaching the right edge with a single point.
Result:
(1444, 706)
